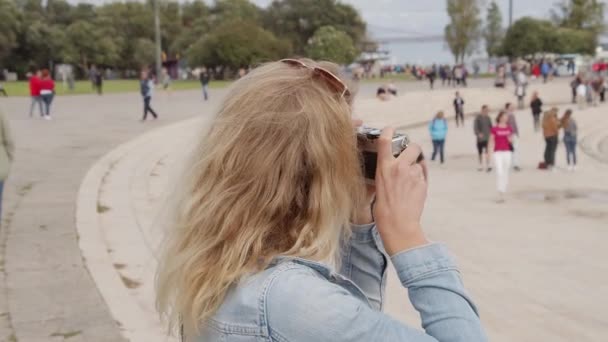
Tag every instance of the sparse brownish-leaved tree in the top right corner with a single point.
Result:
(580, 15)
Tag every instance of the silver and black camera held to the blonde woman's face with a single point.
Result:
(367, 141)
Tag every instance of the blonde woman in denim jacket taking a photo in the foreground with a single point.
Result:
(262, 247)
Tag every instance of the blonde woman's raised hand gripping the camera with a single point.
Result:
(400, 195)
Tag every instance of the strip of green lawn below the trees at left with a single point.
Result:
(21, 88)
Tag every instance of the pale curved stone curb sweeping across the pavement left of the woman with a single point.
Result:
(133, 323)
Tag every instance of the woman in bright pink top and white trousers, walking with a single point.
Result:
(501, 145)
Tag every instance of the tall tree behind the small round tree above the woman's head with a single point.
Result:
(298, 20)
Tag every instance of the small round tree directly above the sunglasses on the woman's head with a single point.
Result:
(331, 44)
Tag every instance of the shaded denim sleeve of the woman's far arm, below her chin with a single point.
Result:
(364, 262)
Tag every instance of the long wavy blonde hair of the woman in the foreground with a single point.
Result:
(276, 174)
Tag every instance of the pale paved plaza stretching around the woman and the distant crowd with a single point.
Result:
(85, 202)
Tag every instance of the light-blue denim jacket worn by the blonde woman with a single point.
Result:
(301, 300)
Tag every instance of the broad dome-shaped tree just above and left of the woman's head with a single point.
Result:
(237, 44)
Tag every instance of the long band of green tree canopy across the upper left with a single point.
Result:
(121, 34)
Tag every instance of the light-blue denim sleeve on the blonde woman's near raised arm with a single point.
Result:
(301, 305)
